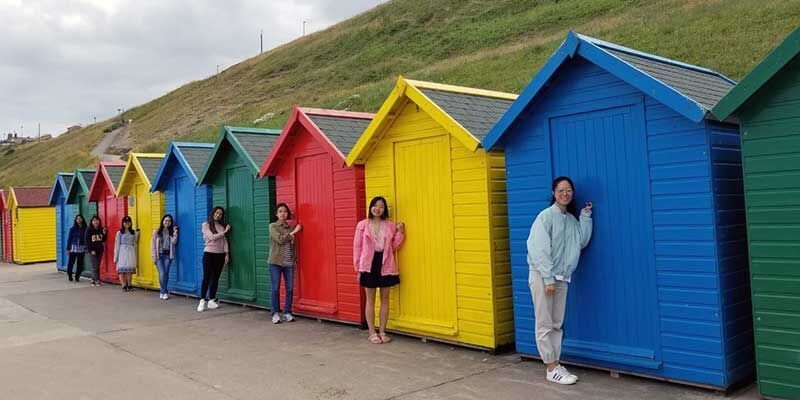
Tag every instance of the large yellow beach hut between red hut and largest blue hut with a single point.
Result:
(422, 153)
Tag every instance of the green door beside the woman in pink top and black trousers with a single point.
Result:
(241, 271)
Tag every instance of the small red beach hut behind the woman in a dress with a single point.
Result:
(110, 209)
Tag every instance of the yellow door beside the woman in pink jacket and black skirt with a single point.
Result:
(425, 300)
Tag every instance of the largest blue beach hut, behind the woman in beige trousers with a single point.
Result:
(662, 289)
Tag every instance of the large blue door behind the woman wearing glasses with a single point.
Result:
(612, 311)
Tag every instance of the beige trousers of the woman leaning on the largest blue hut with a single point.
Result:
(549, 313)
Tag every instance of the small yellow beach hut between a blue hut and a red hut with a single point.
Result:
(145, 209)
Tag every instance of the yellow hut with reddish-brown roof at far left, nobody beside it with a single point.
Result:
(33, 222)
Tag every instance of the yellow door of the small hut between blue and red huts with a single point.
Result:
(142, 219)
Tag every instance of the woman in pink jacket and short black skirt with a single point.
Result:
(377, 238)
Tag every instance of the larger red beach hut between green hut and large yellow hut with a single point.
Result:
(327, 198)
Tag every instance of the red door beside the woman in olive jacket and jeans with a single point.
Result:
(316, 265)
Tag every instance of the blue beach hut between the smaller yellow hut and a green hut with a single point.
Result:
(189, 204)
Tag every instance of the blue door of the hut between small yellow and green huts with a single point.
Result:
(185, 263)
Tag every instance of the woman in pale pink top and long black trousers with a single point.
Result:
(215, 257)
